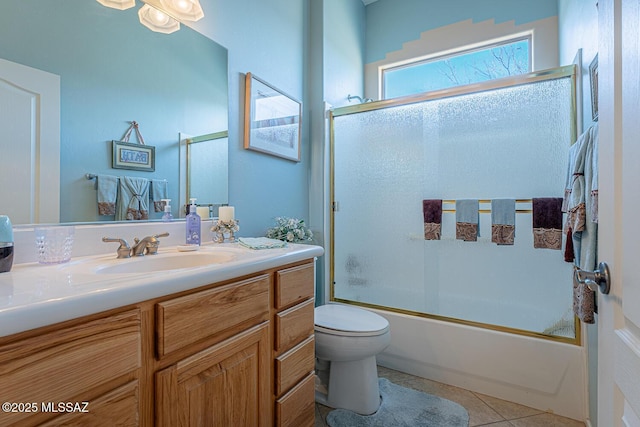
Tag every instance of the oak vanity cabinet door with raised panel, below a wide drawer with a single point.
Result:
(223, 385)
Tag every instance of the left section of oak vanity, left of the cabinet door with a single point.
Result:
(85, 372)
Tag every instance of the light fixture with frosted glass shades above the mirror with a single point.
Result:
(162, 16)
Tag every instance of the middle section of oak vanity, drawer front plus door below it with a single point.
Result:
(228, 383)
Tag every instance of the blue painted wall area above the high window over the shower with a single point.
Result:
(393, 22)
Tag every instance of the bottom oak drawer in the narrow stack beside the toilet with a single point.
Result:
(297, 408)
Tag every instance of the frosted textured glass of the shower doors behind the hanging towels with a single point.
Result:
(504, 143)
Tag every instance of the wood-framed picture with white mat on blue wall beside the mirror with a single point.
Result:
(271, 120)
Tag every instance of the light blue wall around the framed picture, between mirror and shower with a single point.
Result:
(268, 39)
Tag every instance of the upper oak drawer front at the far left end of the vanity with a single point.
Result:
(64, 364)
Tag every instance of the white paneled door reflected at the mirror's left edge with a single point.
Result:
(30, 131)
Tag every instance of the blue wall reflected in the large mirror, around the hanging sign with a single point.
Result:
(113, 71)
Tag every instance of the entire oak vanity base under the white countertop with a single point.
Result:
(238, 352)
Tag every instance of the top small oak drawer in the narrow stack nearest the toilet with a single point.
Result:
(294, 285)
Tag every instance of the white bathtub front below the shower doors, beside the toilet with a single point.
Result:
(542, 374)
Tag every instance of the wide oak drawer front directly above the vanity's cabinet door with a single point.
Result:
(224, 310)
